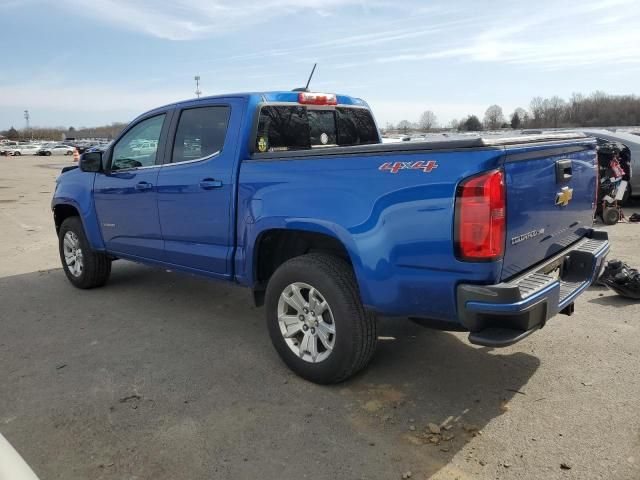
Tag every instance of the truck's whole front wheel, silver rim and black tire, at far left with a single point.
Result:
(84, 267)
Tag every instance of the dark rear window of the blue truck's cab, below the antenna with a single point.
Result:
(284, 128)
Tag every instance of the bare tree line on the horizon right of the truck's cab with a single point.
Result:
(596, 110)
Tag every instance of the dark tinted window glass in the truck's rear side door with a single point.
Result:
(201, 133)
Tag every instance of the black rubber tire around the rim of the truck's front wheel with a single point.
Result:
(96, 266)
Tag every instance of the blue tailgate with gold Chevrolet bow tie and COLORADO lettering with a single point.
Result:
(550, 200)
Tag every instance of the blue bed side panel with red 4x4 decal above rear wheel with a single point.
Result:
(397, 227)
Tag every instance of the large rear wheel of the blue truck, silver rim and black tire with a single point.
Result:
(316, 320)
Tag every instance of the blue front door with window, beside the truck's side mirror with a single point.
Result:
(125, 195)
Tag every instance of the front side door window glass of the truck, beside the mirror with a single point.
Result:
(139, 145)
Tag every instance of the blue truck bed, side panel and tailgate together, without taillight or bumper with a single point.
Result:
(399, 225)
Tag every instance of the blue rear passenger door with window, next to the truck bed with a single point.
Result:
(196, 186)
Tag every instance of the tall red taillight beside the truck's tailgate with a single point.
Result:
(481, 217)
